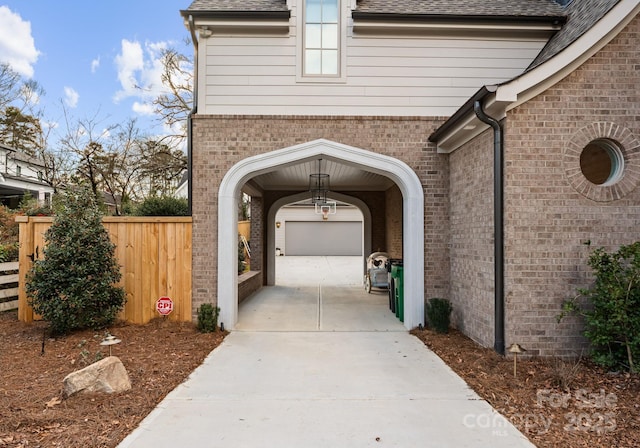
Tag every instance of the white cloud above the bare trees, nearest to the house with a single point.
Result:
(139, 71)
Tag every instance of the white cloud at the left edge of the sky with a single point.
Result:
(17, 47)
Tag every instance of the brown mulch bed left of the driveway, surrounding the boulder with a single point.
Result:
(158, 356)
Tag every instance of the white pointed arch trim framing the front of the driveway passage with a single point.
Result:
(396, 170)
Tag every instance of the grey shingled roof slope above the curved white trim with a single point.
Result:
(582, 15)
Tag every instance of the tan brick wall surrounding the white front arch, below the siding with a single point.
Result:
(221, 141)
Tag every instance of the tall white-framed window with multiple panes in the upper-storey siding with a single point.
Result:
(321, 53)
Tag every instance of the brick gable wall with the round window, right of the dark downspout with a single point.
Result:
(551, 209)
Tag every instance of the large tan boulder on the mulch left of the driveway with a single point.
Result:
(107, 375)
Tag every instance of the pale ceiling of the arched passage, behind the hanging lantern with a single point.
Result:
(343, 177)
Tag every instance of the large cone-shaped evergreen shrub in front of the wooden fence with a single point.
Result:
(73, 286)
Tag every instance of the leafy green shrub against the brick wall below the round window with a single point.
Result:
(613, 317)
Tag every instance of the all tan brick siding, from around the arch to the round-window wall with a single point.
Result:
(550, 212)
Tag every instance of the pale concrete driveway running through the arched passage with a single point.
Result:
(323, 365)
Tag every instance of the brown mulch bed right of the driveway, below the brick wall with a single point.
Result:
(553, 402)
